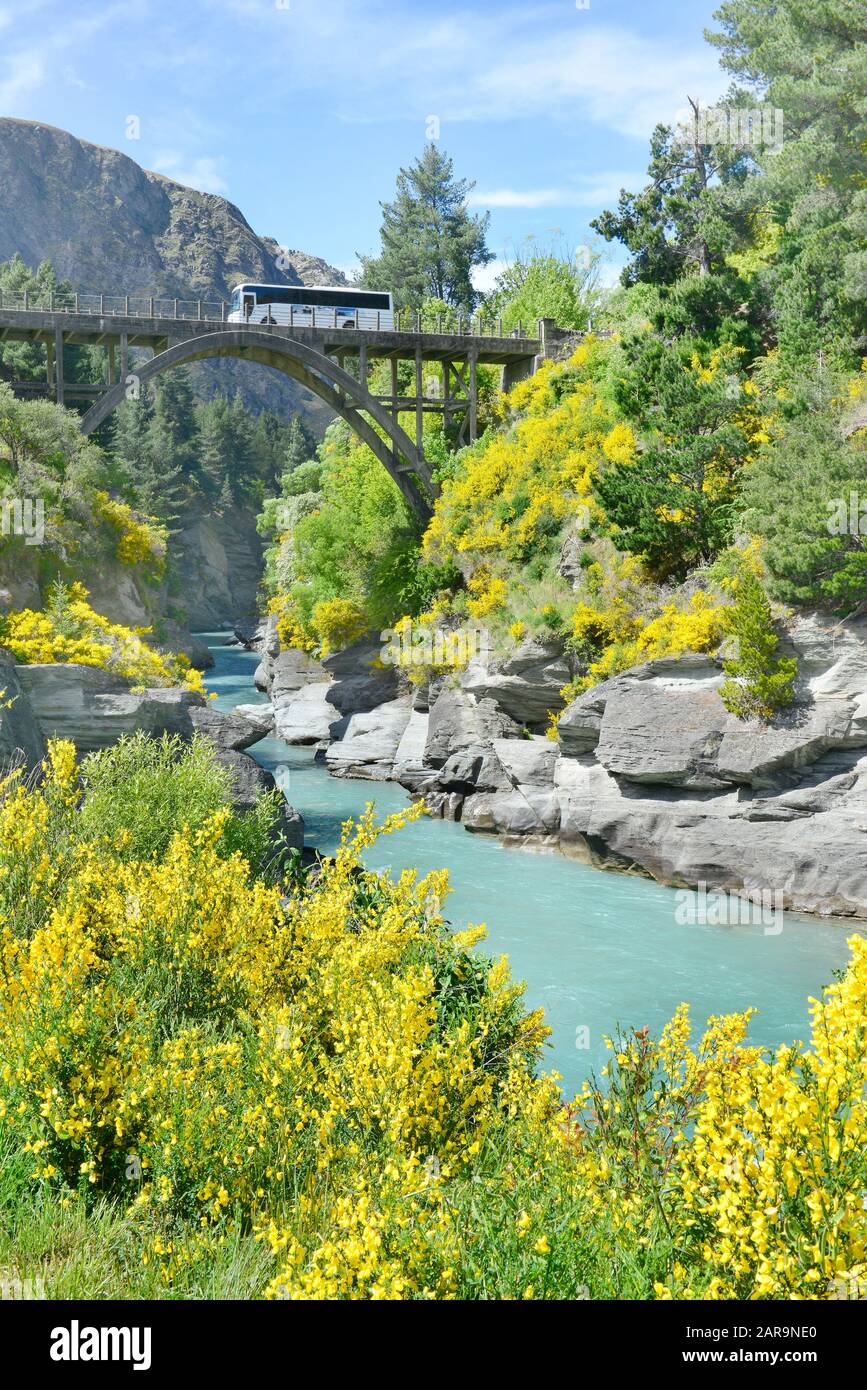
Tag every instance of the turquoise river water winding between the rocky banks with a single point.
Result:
(595, 949)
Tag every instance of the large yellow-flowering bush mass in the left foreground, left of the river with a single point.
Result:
(219, 1057)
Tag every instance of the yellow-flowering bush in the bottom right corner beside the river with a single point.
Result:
(752, 1167)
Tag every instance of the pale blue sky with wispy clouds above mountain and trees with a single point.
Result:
(301, 112)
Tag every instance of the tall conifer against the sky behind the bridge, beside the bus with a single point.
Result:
(431, 243)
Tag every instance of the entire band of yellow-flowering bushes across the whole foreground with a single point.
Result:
(317, 1071)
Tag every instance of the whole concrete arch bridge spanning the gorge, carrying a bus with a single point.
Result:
(313, 357)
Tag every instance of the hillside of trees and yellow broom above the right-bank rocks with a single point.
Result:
(682, 479)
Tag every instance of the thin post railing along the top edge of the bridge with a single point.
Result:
(216, 311)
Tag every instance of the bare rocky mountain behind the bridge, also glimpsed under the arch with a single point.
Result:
(109, 226)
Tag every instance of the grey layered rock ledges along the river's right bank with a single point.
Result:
(651, 774)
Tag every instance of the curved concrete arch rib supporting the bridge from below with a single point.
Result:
(320, 375)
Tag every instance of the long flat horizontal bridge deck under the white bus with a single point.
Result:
(110, 330)
